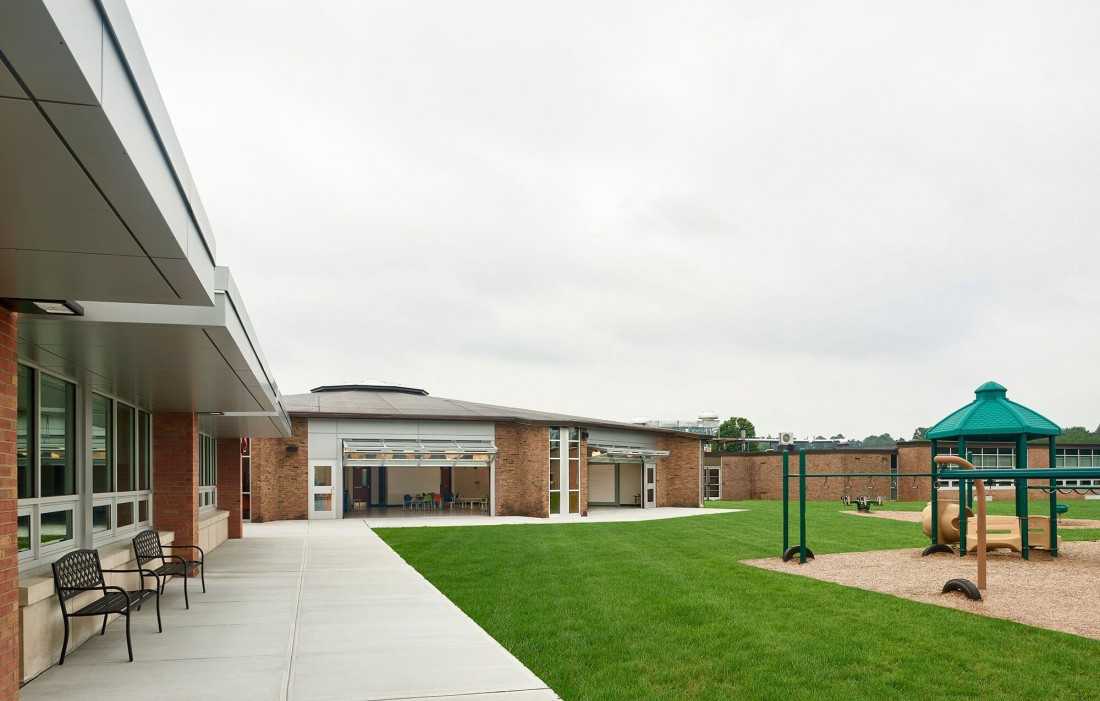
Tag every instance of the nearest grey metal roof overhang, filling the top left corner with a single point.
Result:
(96, 199)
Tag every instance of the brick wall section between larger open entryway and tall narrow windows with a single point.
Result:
(523, 470)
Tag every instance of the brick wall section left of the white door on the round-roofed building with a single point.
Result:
(281, 479)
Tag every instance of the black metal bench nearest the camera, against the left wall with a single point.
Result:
(81, 572)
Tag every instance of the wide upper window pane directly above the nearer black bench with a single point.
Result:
(58, 436)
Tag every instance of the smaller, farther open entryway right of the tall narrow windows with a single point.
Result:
(623, 476)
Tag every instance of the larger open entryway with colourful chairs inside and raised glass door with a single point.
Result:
(420, 477)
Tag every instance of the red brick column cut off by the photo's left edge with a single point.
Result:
(10, 642)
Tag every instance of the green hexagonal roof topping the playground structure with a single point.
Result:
(993, 417)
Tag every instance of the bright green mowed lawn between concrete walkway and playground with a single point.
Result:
(665, 610)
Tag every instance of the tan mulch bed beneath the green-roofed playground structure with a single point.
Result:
(1055, 594)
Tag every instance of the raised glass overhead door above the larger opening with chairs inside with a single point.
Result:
(460, 453)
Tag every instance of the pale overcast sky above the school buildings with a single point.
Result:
(835, 217)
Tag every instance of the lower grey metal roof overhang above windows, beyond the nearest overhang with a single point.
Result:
(163, 358)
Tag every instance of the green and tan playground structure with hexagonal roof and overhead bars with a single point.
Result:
(991, 418)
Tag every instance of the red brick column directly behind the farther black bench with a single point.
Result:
(177, 476)
